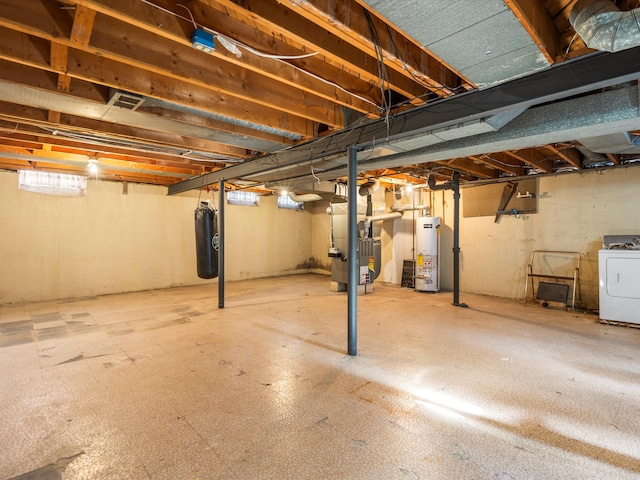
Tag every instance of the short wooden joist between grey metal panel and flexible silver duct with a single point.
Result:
(536, 21)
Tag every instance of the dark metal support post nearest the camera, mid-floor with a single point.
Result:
(352, 255)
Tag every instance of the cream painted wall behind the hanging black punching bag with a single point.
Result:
(107, 242)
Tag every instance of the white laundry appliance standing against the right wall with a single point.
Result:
(619, 272)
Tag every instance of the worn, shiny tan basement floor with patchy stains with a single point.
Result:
(164, 385)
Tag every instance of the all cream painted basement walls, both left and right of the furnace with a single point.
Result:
(106, 242)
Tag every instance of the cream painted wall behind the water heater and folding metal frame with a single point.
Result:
(574, 212)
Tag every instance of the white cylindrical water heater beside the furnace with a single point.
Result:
(427, 254)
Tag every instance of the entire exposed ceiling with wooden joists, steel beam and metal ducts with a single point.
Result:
(489, 88)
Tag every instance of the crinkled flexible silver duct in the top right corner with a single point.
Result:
(602, 26)
